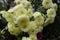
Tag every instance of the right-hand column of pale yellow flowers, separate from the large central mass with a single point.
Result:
(51, 11)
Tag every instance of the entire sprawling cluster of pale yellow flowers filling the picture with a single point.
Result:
(23, 18)
